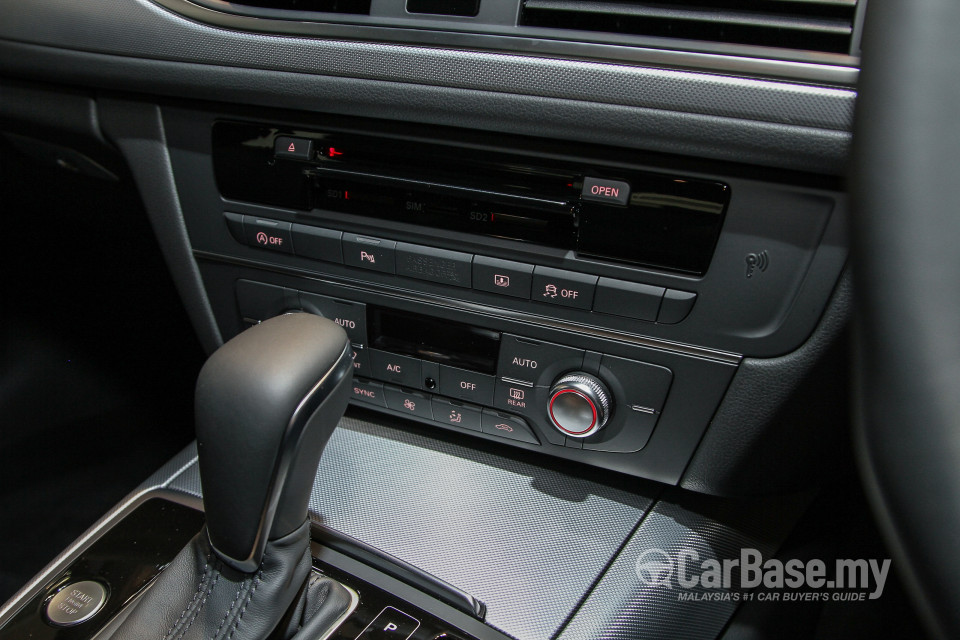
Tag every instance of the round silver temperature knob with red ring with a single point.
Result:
(580, 404)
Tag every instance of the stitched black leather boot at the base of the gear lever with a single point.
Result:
(198, 597)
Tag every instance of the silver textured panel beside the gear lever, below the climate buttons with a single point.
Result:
(528, 542)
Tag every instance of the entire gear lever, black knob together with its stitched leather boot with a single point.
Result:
(266, 404)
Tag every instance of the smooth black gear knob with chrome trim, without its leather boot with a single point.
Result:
(258, 446)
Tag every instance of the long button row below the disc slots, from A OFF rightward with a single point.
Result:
(504, 277)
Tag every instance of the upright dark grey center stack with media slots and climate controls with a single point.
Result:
(586, 303)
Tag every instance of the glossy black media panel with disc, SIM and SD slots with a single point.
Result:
(614, 213)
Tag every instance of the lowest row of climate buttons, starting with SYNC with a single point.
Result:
(446, 411)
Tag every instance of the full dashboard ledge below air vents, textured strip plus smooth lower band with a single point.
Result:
(154, 51)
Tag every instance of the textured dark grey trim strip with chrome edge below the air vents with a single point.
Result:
(139, 28)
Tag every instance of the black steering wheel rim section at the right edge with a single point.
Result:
(907, 235)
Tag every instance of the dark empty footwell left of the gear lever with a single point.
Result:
(97, 359)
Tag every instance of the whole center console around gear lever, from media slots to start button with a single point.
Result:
(513, 307)
